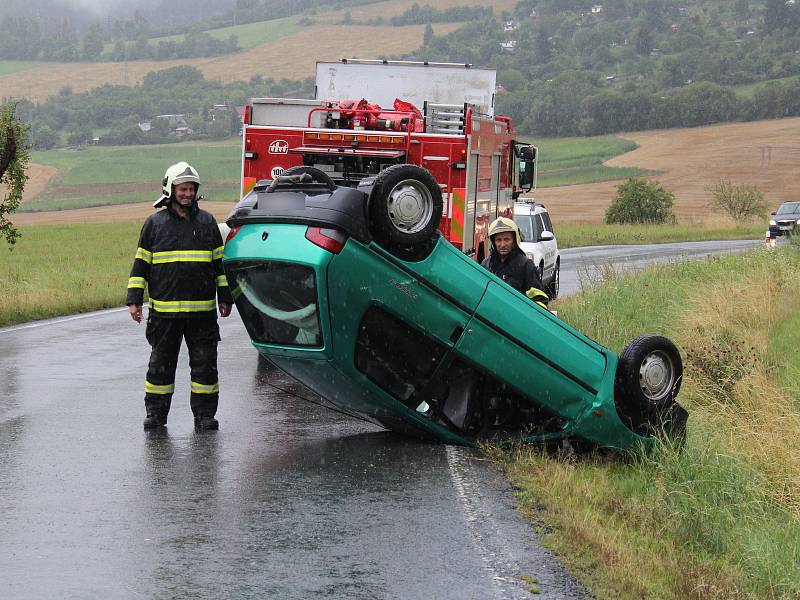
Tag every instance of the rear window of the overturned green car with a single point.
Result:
(277, 302)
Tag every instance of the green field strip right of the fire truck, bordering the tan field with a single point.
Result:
(569, 161)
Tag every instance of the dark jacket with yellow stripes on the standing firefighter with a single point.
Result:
(179, 261)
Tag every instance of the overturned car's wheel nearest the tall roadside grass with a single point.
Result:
(648, 379)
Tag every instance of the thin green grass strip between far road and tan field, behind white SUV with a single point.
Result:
(592, 234)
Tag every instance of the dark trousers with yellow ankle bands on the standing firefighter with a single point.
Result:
(164, 336)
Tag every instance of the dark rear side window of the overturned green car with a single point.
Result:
(394, 355)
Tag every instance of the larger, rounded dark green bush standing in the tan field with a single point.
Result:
(639, 201)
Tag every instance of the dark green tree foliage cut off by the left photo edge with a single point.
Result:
(14, 158)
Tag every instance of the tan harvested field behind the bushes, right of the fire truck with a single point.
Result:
(762, 153)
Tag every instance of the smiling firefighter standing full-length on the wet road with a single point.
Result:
(179, 261)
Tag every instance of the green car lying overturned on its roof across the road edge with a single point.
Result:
(353, 292)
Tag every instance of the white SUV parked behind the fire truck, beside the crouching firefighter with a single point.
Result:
(539, 241)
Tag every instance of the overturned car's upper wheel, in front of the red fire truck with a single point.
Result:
(405, 206)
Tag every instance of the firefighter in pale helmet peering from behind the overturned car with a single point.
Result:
(508, 262)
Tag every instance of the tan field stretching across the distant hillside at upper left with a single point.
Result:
(292, 57)
